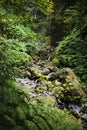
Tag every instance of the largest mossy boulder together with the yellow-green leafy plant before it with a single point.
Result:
(70, 89)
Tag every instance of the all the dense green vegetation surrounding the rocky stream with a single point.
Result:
(32, 27)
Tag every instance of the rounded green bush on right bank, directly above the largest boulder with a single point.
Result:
(72, 53)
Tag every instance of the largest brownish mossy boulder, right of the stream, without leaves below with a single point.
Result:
(70, 82)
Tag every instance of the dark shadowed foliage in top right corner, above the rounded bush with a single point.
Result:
(75, 16)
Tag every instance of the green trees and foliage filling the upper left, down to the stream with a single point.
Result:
(19, 23)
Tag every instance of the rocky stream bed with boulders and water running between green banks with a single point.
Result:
(58, 88)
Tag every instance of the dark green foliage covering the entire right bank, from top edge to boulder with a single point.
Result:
(71, 51)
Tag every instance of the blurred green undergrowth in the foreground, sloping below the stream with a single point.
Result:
(18, 113)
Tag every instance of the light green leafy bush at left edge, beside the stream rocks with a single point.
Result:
(13, 54)
